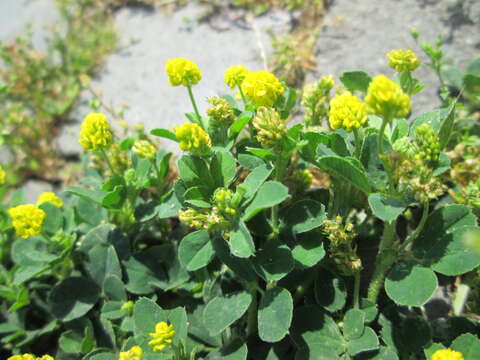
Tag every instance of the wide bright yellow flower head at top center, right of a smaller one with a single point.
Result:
(262, 87)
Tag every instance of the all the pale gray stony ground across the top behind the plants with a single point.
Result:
(355, 34)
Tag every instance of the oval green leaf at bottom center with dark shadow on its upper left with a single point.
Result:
(275, 314)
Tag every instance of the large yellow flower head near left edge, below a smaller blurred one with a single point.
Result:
(27, 220)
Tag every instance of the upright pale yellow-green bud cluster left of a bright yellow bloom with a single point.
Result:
(315, 99)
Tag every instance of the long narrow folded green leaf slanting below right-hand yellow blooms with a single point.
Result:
(344, 169)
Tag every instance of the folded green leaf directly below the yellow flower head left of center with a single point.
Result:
(193, 171)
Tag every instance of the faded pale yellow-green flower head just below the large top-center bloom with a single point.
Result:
(270, 128)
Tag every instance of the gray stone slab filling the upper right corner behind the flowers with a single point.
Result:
(358, 33)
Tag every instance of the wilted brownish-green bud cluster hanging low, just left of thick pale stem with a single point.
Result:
(341, 248)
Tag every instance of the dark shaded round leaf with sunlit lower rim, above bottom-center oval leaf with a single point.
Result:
(274, 261)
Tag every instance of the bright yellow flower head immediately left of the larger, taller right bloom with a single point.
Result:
(347, 112)
